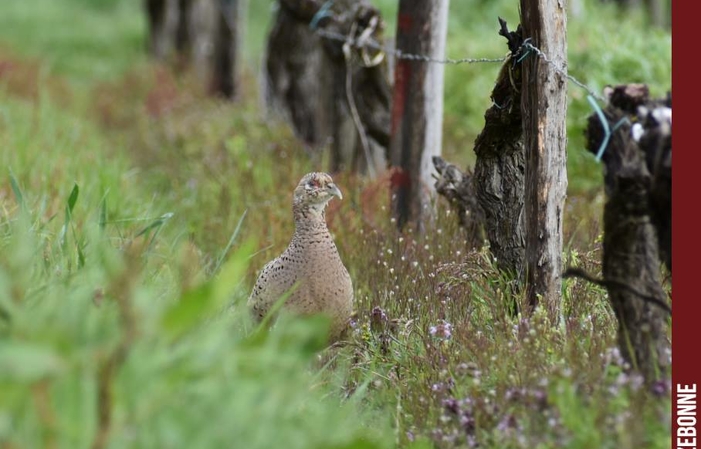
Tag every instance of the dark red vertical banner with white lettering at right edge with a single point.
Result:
(686, 246)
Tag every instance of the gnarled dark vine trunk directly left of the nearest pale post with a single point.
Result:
(491, 201)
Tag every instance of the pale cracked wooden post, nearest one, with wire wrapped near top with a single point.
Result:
(544, 107)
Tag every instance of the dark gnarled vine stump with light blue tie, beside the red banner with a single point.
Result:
(633, 137)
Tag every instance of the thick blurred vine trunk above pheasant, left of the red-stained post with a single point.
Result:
(331, 83)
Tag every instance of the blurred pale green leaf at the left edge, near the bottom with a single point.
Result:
(27, 362)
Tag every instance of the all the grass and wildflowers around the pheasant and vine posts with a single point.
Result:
(134, 214)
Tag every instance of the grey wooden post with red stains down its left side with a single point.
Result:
(417, 110)
